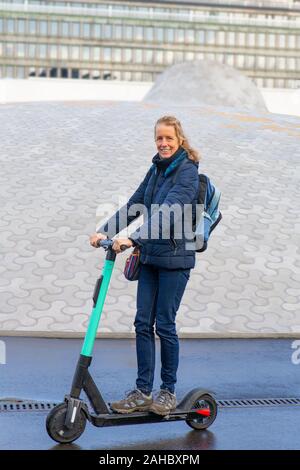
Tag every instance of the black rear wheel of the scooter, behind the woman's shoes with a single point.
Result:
(207, 404)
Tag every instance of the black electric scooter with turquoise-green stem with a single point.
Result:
(66, 421)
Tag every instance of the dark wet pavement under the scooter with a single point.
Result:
(42, 369)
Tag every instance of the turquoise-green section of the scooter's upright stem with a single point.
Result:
(89, 340)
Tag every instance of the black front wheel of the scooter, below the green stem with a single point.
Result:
(55, 425)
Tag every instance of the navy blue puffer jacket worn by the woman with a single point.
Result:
(157, 188)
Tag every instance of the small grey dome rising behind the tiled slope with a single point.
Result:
(206, 82)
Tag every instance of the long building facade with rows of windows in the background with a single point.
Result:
(137, 40)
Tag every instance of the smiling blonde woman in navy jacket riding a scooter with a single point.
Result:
(166, 262)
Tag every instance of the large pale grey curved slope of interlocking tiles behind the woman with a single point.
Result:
(60, 161)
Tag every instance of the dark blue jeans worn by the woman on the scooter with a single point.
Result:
(159, 295)
